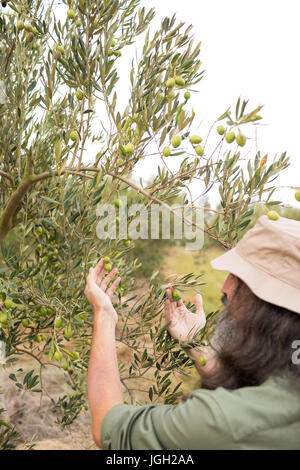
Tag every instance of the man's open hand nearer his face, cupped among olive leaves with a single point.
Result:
(184, 324)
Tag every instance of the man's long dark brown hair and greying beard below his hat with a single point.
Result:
(252, 340)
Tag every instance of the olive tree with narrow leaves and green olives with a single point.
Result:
(66, 146)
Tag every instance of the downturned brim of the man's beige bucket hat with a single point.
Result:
(262, 284)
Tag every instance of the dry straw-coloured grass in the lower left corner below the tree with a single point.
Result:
(35, 421)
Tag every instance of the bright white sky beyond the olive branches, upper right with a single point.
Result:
(249, 48)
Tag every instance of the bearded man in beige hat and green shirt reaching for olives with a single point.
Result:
(250, 394)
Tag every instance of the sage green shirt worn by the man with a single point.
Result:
(262, 417)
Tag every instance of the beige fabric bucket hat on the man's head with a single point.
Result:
(267, 259)
